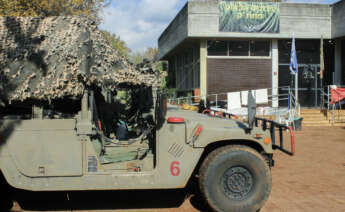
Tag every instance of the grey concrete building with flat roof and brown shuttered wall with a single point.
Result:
(202, 57)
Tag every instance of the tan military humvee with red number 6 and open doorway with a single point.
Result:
(163, 148)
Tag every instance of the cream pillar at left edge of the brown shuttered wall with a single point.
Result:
(203, 67)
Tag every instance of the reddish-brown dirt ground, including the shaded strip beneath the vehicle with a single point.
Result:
(313, 180)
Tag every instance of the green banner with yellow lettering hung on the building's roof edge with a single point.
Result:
(249, 17)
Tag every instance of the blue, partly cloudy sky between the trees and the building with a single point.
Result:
(140, 22)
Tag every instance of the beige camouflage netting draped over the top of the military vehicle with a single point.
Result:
(56, 57)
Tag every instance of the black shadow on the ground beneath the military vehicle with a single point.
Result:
(100, 200)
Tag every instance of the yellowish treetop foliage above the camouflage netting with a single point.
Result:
(44, 8)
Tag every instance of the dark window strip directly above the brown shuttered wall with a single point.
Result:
(240, 48)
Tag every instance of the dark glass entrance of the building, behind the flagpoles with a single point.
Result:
(309, 82)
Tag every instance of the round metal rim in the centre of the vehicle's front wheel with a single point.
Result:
(237, 182)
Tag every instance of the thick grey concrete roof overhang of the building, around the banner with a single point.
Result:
(198, 21)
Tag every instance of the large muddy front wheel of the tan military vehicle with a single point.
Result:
(235, 178)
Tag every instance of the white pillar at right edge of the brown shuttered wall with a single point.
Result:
(275, 72)
